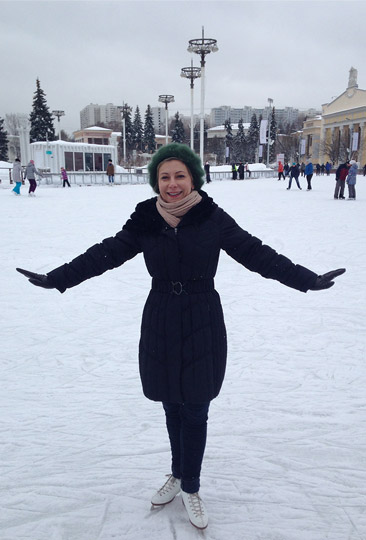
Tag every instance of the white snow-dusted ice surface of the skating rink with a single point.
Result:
(82, 450)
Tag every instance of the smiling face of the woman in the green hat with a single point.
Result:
(174, 180)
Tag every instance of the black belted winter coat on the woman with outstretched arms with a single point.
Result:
(182, 352)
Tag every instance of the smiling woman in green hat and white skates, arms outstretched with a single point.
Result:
(182, 352)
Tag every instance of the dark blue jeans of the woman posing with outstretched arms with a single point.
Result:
(187, 429)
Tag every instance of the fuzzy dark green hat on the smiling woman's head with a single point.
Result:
(183, 153)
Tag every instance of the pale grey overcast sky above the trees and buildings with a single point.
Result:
(297, 53)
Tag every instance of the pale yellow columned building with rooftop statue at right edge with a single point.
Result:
(340, 132)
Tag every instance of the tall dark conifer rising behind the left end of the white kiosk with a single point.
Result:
(41, 119)
